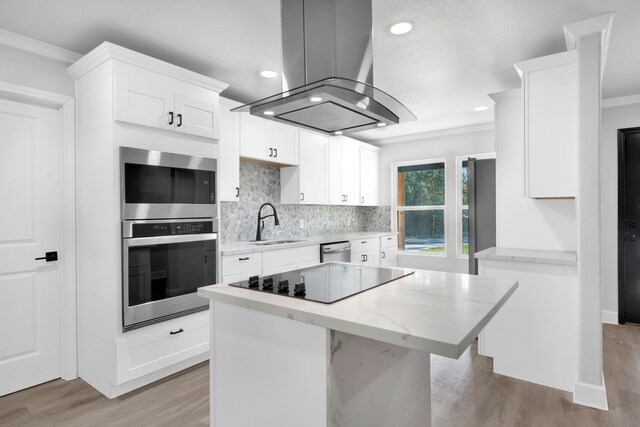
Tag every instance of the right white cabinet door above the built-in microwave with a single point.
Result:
(196, 116)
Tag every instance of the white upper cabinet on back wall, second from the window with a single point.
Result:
(344, 171)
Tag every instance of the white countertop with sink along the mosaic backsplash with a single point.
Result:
(245, 247)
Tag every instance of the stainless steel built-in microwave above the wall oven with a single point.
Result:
(156, 185)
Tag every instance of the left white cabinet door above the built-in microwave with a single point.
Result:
(144, 100)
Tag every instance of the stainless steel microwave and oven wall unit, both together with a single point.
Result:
(169, 234)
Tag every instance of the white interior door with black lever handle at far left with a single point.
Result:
(30, 224)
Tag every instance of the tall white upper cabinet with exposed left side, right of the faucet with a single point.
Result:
(307, 184)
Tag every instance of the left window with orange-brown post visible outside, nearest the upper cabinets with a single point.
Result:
(420, 206)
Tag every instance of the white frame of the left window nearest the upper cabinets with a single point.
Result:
(394, 203)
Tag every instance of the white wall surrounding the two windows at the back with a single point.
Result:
(448, 147)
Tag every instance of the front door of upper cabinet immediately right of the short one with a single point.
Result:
(313, 168)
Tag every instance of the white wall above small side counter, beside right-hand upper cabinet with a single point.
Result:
(523, 222)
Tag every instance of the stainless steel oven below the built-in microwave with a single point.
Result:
(164, 262)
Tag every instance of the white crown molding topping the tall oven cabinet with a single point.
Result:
(107, 51)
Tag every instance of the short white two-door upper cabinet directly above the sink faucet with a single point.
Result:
(267, 141)
